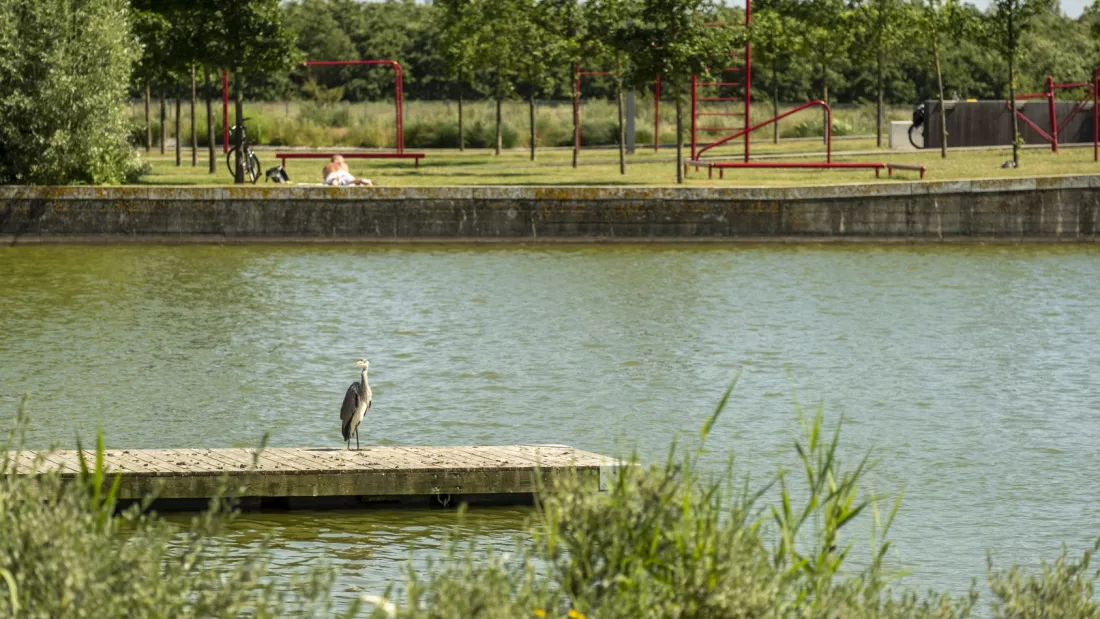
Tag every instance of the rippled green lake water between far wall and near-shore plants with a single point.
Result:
(971, 372)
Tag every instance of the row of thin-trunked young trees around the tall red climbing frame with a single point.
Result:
(483, 46)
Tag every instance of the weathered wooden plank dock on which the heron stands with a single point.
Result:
(332, 478)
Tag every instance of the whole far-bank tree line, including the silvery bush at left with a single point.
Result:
(67, 65)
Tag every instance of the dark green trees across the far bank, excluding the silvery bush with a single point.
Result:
(853, 50)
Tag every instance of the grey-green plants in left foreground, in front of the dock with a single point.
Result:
(67, 551)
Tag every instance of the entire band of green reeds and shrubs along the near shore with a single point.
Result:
(664, 541)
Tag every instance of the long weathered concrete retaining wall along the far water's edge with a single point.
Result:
(1031, 209)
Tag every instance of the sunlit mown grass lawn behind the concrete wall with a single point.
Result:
(600, 168)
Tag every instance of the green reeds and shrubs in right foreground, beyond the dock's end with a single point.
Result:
(668, 541)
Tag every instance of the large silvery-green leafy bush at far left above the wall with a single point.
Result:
(65, 70)
